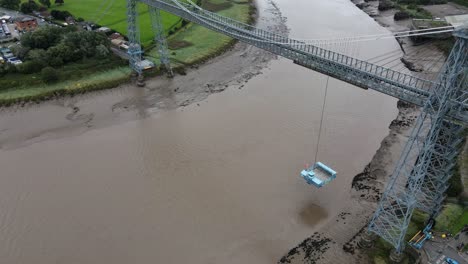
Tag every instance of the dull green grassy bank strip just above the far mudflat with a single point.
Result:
(199, 46)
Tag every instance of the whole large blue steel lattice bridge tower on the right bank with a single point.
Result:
(421, 176)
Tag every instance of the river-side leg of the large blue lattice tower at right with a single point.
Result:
(393, 214)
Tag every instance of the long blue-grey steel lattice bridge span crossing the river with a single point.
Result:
(351, 70)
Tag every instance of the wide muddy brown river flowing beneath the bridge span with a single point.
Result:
(216, 181)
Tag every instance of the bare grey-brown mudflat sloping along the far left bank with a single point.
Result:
(232, 69)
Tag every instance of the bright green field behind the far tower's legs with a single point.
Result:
(115, 17)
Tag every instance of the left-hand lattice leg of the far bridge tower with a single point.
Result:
(134, 47)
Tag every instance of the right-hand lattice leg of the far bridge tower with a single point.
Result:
(158, 29)
